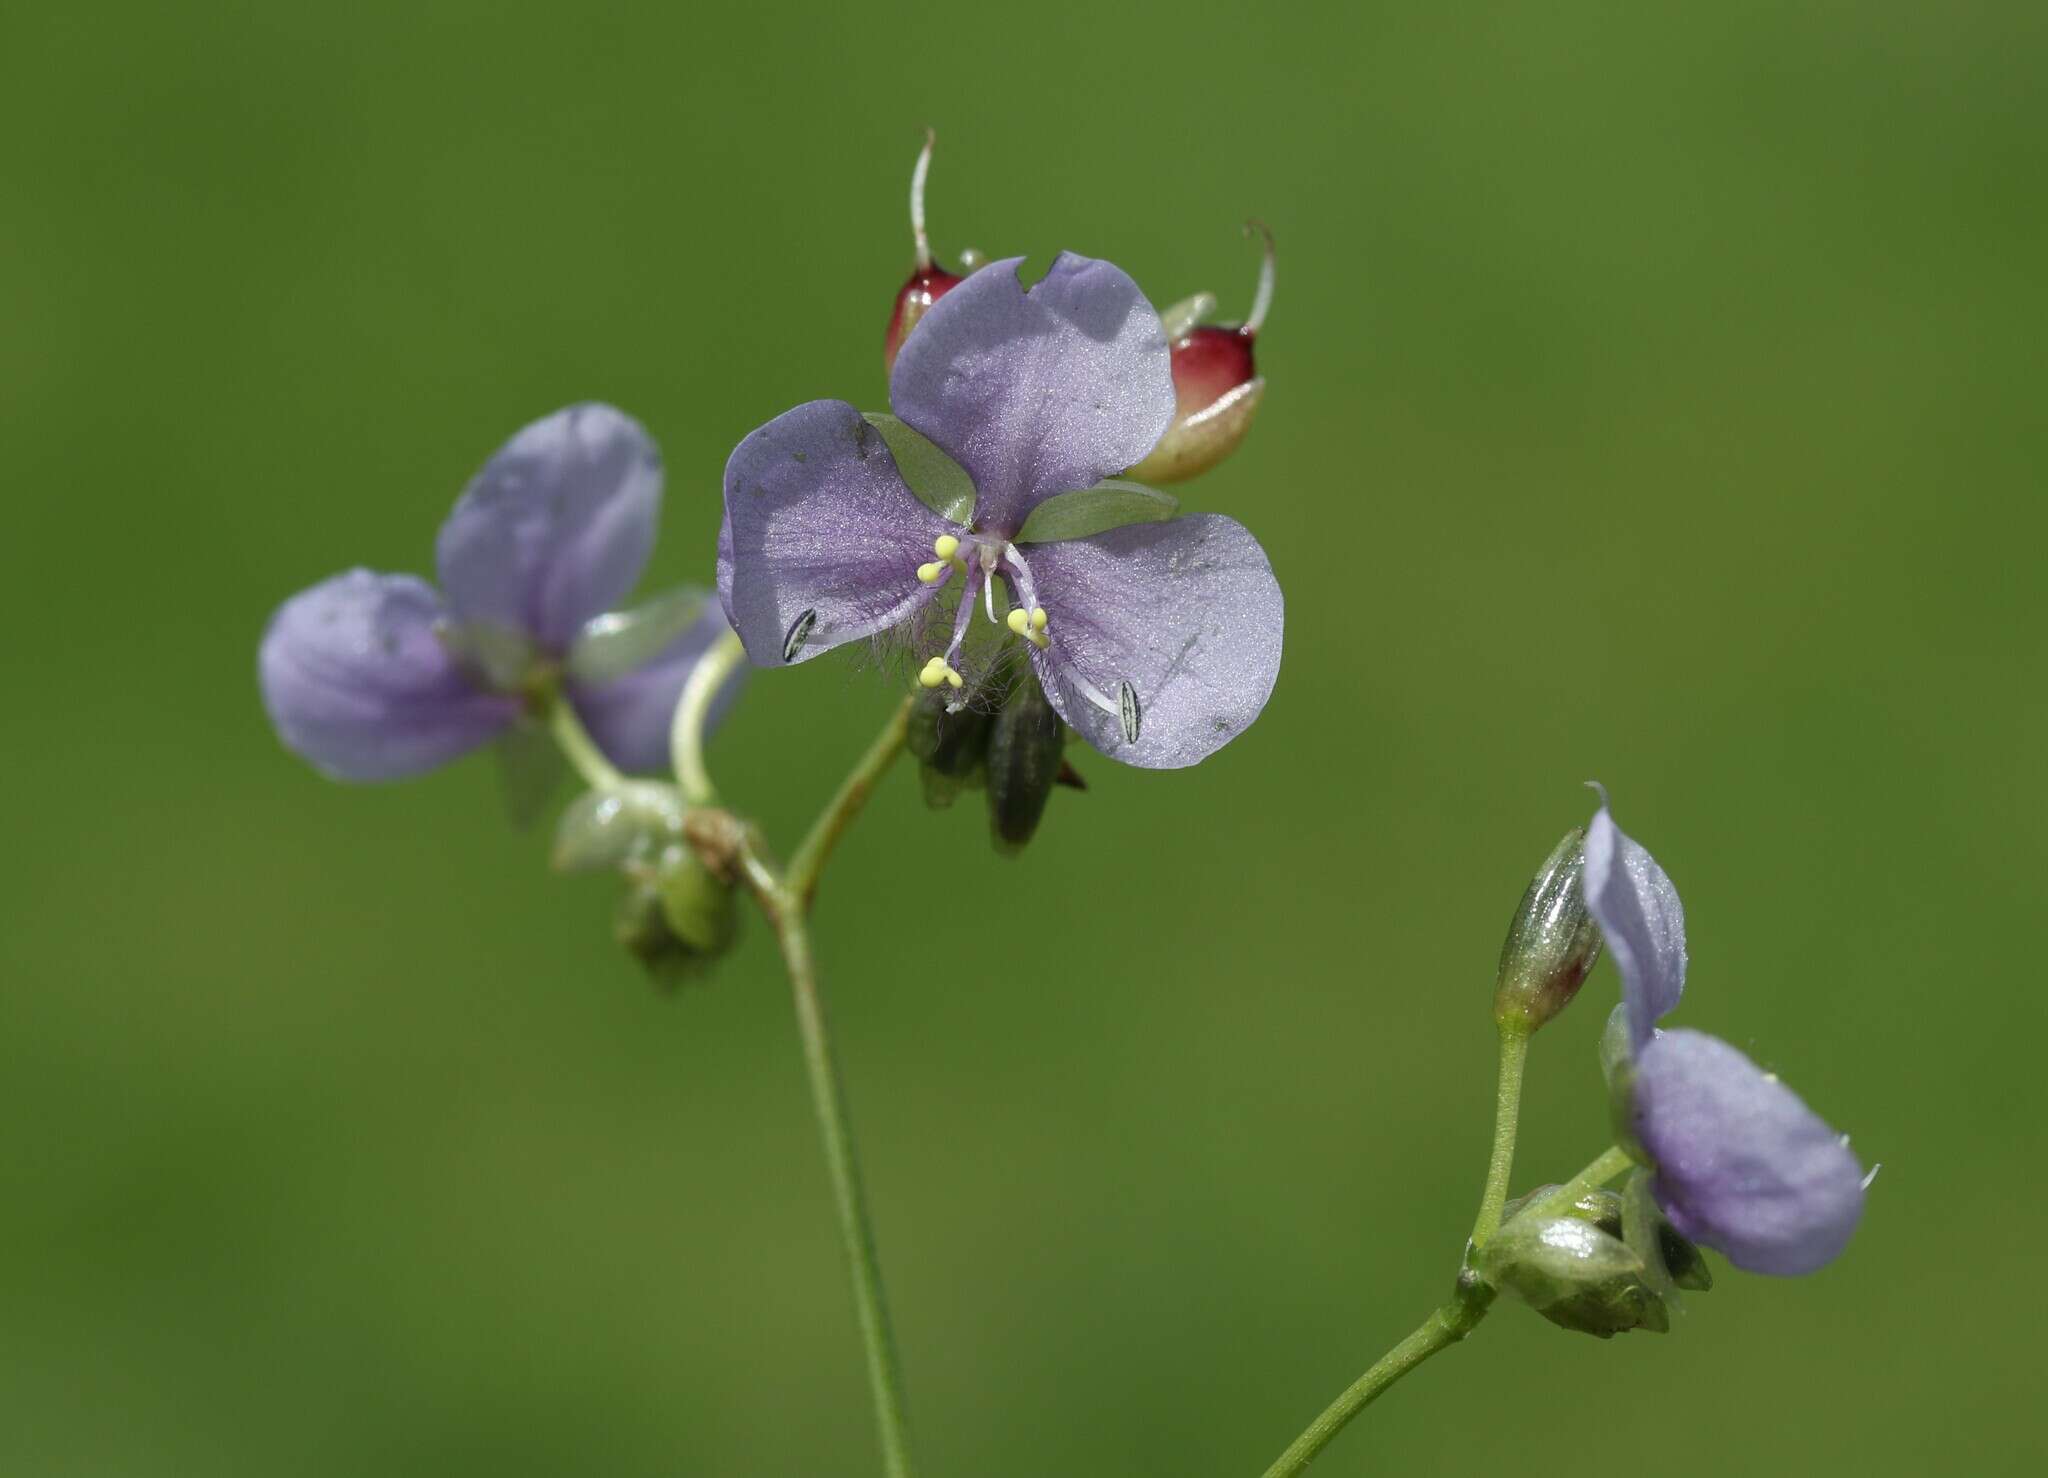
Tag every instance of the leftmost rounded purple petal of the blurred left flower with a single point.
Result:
(359, 685)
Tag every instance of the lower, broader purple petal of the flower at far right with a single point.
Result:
(1742, 1162)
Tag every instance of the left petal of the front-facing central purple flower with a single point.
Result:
(822, 539)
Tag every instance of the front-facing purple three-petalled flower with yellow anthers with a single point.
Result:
(1160, 642)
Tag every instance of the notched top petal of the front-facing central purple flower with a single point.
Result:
(1041, 392)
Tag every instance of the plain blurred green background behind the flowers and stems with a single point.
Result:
(1656, 394)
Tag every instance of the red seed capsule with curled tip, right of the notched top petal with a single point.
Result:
(1215, 384)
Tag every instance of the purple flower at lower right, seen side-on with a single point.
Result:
(1740, 1162)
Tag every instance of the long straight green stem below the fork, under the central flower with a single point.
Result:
(828, 1096)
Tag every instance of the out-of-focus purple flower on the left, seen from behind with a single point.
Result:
(382, 677)
